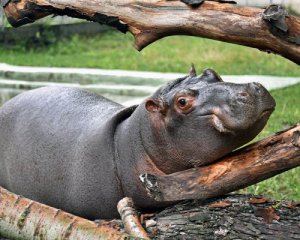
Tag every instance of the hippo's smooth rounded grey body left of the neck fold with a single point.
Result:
(52, 140)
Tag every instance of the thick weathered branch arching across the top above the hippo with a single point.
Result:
(149, 20)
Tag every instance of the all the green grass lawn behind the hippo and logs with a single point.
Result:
(113, 50)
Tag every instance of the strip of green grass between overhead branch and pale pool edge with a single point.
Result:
(113, 50)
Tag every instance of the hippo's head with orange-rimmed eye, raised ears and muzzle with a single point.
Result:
(195, 120)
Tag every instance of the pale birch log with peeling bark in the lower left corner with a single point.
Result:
(21, 218)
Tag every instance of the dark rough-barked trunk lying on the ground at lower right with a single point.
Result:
(232, 217)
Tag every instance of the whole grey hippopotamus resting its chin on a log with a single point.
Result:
(78, 151)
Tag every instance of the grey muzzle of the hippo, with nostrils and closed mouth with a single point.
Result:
(247, 106)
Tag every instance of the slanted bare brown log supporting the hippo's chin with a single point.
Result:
(242, 168)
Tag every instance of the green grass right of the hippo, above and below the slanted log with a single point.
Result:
(287, 113)
